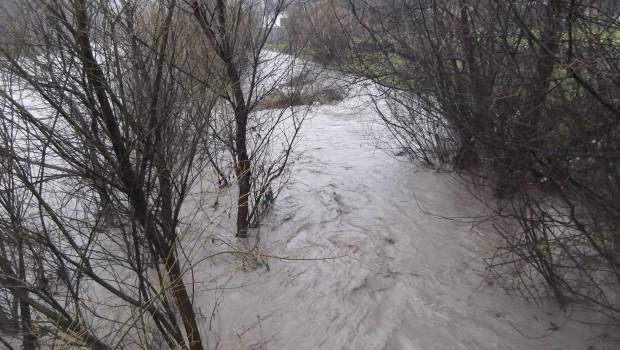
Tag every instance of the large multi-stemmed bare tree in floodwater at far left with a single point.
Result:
(102, 135)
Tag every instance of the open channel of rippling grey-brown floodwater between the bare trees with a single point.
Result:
(392, 275)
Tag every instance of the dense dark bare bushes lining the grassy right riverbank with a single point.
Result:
(521, 94)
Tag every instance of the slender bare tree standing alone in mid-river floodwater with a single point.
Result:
(244, 73)
